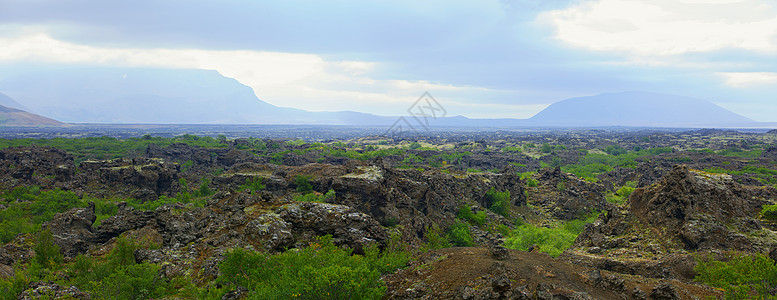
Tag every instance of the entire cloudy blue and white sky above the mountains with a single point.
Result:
(480, 59)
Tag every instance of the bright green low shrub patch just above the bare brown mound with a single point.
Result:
(549, 240)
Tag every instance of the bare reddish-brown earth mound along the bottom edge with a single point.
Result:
(475, 273)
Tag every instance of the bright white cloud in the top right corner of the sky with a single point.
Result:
(666, 27)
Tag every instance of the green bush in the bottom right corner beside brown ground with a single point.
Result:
(742, 276)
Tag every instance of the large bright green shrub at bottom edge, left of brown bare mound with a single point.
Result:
(319, 271)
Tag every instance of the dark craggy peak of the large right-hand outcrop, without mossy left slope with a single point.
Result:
(695, 206)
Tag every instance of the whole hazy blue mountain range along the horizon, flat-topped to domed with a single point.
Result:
(190, 96)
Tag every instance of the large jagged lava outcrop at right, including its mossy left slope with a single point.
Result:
(685, 211)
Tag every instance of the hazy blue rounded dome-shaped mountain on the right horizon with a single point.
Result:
(637, 109)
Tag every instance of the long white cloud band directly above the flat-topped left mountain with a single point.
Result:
(304, 81)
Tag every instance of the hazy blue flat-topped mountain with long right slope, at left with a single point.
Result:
(155, 96)
